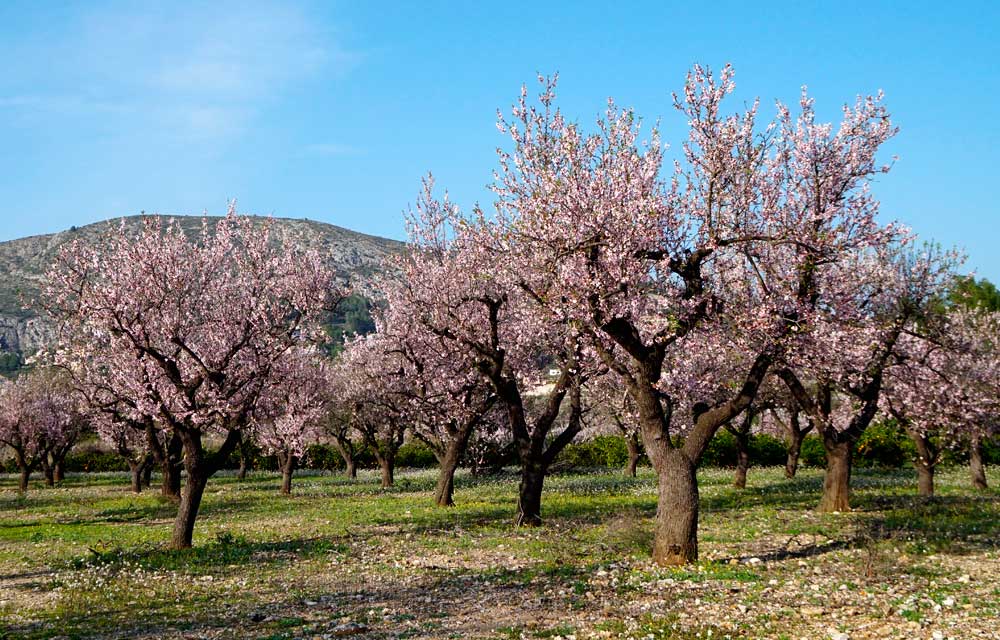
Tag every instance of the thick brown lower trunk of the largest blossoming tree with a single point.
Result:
(675, 540)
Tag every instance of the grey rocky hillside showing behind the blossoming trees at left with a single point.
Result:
(23, 264)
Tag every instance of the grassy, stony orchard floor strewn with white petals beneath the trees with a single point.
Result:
(341, 559)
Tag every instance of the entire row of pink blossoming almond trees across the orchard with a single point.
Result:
(750, 276)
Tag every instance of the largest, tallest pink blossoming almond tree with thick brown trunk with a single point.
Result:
(742, 229)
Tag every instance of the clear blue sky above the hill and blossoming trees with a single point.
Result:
(333, 111)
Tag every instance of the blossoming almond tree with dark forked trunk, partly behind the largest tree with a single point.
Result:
(457, 285)
